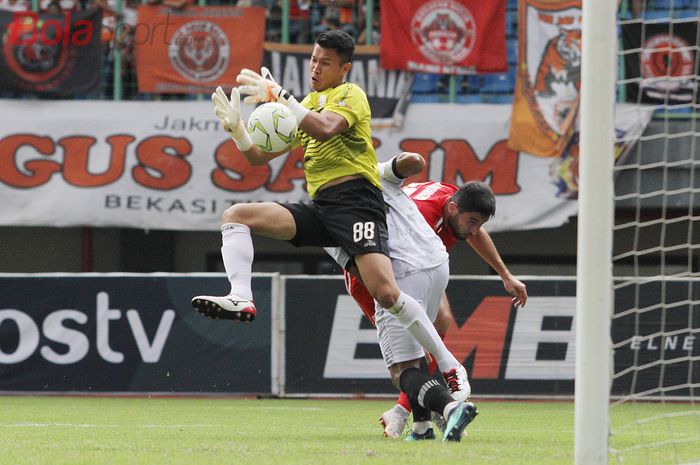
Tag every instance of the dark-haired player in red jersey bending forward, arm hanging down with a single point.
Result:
(455, 215)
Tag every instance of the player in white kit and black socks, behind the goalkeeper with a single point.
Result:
(420, 264)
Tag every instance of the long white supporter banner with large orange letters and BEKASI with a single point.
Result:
(169, 165)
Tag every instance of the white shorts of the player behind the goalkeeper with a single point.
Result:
(427, 287)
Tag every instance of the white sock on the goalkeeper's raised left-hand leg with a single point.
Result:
(237, 252)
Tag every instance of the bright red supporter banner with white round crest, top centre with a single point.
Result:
(444, 36)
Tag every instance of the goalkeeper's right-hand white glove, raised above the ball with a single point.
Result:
(263, 88)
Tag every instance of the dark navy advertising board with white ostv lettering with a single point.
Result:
(129, 333)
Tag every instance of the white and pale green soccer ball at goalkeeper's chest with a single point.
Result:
(272, 127)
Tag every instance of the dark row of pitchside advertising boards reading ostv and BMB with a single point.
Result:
(138, 333)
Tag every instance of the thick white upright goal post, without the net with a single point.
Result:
(595, 223)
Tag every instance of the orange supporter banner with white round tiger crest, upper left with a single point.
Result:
(196, 49)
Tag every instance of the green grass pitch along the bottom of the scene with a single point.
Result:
(195, 431)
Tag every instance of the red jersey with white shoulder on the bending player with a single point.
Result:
(431, 198)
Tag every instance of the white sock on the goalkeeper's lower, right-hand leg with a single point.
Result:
(412, 316)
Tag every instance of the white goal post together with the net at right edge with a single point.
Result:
(637, 397)
